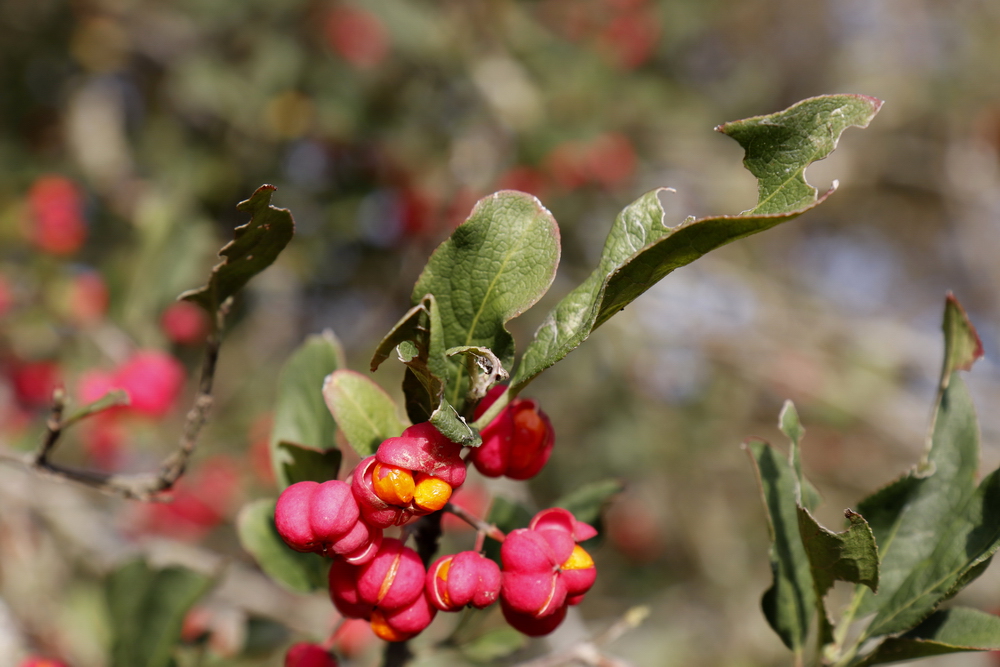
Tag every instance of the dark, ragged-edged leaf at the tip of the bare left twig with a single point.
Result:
(254, 247)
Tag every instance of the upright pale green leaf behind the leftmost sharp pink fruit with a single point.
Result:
(300, 415)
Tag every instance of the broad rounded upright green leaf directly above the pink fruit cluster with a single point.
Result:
(496, 265)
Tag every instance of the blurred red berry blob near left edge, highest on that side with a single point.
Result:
(57, 224)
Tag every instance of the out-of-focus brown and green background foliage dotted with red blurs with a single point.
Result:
(129, 129)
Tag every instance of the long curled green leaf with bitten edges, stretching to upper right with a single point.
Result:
(641, 249)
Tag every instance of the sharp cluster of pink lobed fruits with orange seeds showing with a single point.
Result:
(543, 568)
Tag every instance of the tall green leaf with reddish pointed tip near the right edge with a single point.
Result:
(912, 517)
